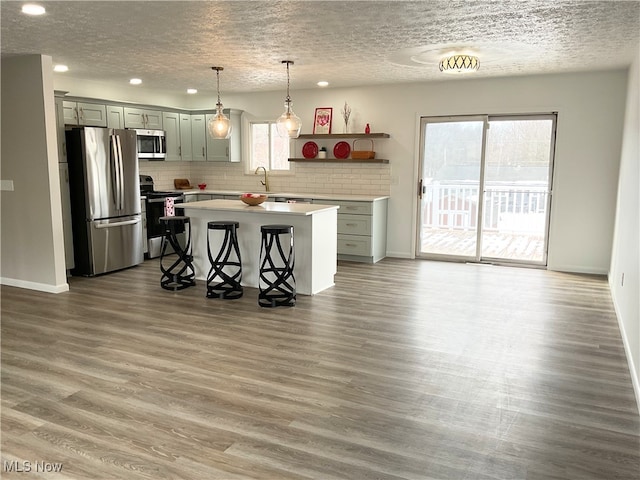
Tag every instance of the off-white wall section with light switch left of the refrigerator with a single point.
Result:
(32, 238)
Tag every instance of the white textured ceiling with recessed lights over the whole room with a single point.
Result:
(172, 45)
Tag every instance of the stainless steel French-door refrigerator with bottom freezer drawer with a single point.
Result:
(105, 199)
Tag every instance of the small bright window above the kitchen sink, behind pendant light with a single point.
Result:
(268, 149)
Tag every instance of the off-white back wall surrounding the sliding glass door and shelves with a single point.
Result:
(590, 110)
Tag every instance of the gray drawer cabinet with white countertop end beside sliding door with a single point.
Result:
(362, 229)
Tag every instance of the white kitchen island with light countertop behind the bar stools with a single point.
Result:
(315, 238)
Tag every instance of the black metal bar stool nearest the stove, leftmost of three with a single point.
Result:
(179, 274)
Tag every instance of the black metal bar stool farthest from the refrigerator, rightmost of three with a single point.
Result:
(277, 283)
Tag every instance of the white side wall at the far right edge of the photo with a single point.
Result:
(626, 241)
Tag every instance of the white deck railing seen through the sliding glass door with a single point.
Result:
(507, 207)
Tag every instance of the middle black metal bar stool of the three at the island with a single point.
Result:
(225, 276)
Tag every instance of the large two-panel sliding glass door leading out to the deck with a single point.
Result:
(485, 188)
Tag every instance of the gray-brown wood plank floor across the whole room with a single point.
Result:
(403, 370)
